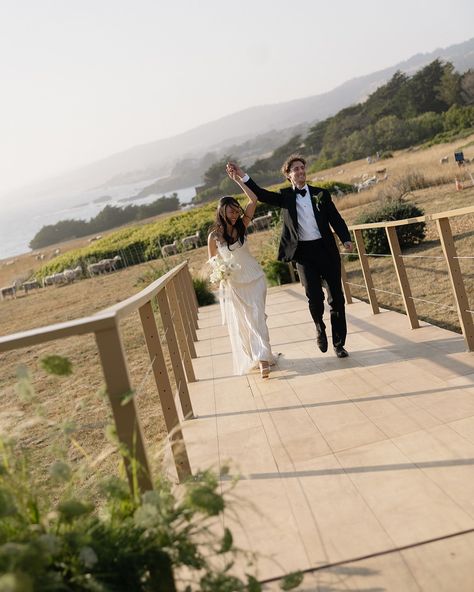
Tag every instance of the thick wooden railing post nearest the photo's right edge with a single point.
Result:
(455, 275)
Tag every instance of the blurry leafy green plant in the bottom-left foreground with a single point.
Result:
(53, 538)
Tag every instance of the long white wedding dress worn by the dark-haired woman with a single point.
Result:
(242, 298)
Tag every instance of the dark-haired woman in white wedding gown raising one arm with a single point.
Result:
(243, 289)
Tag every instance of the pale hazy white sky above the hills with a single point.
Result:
(82, 80)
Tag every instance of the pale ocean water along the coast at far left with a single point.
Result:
(19, 222)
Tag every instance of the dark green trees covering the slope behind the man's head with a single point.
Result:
(434, 105)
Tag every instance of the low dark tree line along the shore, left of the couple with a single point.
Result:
(109, 217)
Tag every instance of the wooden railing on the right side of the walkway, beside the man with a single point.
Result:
(452, 261)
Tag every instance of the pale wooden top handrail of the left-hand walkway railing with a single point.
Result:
(103, 319)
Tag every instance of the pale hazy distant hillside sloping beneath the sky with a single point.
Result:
(157, 159)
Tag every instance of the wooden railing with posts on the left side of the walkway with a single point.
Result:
(177, 304)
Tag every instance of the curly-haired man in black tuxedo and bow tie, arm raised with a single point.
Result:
(307, 238)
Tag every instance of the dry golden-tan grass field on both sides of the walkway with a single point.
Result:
(76, 398)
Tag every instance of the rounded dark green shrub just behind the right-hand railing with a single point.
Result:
(409, 235)
